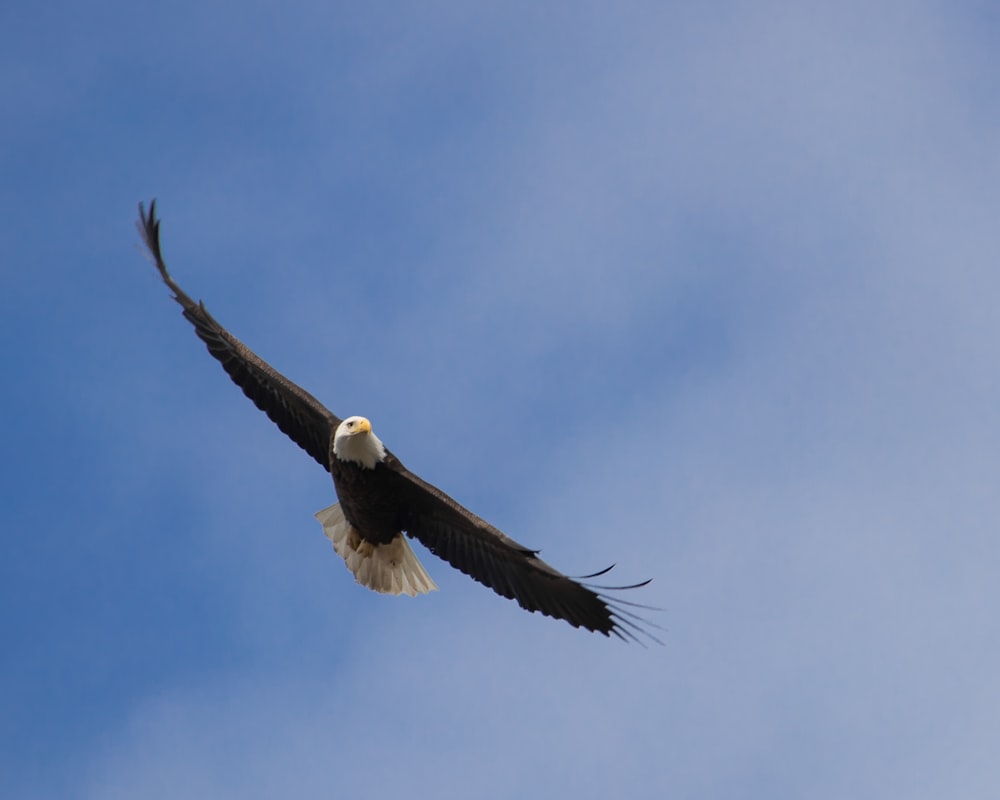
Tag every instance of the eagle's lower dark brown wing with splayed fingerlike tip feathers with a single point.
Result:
(486, 554)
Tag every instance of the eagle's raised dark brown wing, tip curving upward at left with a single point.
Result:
(296, 412)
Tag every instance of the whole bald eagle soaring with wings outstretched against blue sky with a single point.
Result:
(379, 499)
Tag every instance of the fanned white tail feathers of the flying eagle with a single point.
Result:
(387, 568)
